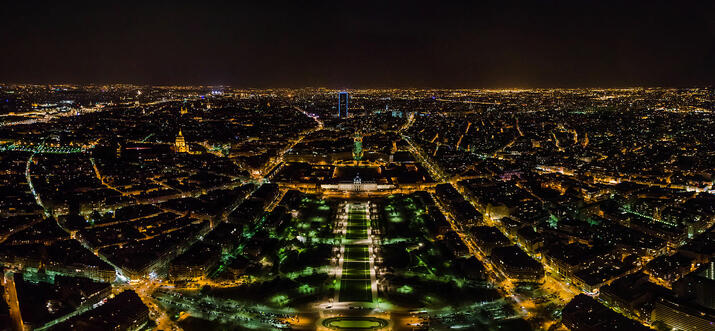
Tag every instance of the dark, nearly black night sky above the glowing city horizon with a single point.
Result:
(359, 44)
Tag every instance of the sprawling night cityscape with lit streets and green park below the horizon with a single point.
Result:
(212, 207)
